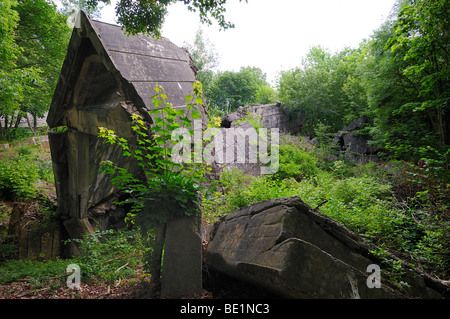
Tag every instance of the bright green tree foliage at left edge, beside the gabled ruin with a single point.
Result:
(37, 36)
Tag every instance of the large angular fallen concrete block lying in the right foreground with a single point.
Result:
(287, 247)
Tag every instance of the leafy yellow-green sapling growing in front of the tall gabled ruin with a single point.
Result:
(167, 188)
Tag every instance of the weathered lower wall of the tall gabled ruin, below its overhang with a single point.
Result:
(83, 192)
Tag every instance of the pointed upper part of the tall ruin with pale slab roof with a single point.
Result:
(103, 64)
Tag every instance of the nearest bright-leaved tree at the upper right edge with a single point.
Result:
(422, 34)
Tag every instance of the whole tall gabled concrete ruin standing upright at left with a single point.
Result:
(106, 77)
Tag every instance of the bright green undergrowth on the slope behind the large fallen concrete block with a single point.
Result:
(401, 209)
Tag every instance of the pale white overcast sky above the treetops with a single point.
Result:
(275, 35)
